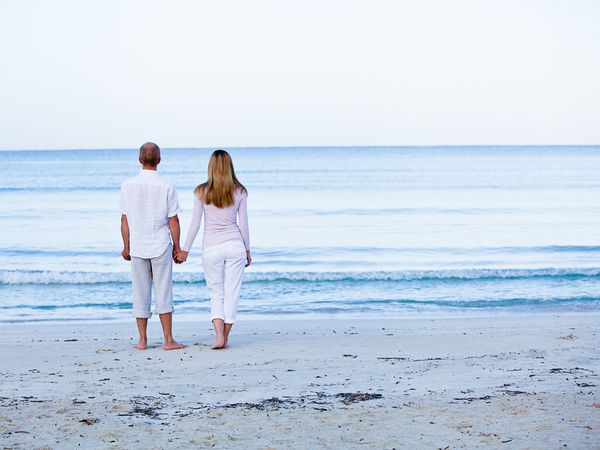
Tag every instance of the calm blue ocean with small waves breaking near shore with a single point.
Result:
(335, 232)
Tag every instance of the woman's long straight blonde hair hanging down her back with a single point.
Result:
(219, 189)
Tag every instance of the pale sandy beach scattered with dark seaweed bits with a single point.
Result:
(496, 382)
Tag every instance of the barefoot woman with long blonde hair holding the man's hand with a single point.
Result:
(226, 245)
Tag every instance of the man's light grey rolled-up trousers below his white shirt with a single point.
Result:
(146, 272)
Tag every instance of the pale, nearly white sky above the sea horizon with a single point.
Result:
(117, 73)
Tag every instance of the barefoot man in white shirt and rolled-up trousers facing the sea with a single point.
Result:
(149, 208)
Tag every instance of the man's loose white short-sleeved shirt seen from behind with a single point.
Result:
(148, 201)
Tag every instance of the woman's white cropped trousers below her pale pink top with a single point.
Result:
(223, 271)
